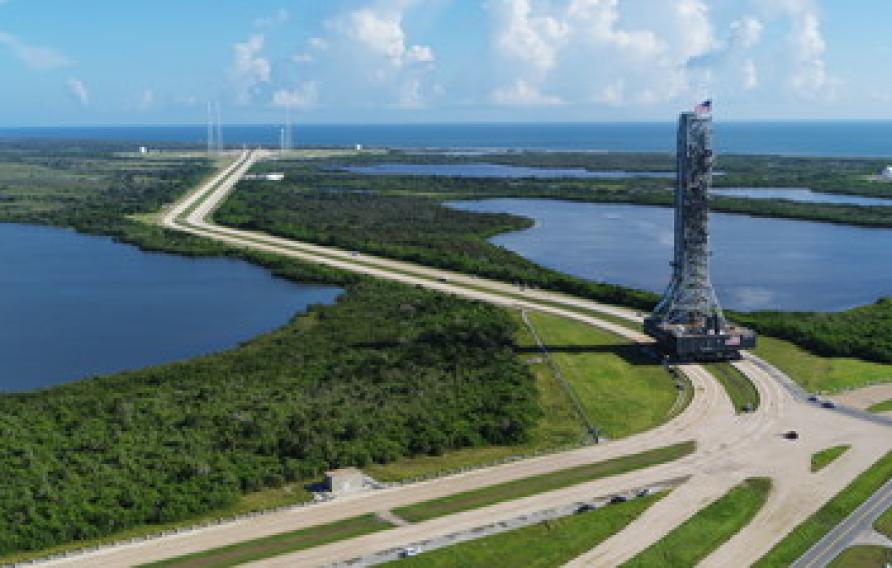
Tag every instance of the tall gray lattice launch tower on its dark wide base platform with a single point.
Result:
(688, 322)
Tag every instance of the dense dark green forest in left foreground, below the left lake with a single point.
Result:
(388, 371)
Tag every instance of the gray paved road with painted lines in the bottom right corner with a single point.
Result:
(845, 533)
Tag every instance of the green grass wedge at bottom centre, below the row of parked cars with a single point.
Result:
(545, 545)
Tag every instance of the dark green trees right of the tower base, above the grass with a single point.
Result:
(860, 332)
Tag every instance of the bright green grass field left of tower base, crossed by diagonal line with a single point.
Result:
(621, 390)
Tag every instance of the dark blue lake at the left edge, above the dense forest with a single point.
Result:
(74, 306)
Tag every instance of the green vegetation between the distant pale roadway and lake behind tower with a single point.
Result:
(417, 228)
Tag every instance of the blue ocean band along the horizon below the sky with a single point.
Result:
(843, 138)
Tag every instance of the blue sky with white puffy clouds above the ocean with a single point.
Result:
(112, 62)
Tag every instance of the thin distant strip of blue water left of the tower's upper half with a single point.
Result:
(484, 170)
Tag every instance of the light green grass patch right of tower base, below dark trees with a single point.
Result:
(821, 374)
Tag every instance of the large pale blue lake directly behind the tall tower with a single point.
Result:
(758, 263)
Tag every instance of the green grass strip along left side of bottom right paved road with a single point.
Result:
(831, 514)
